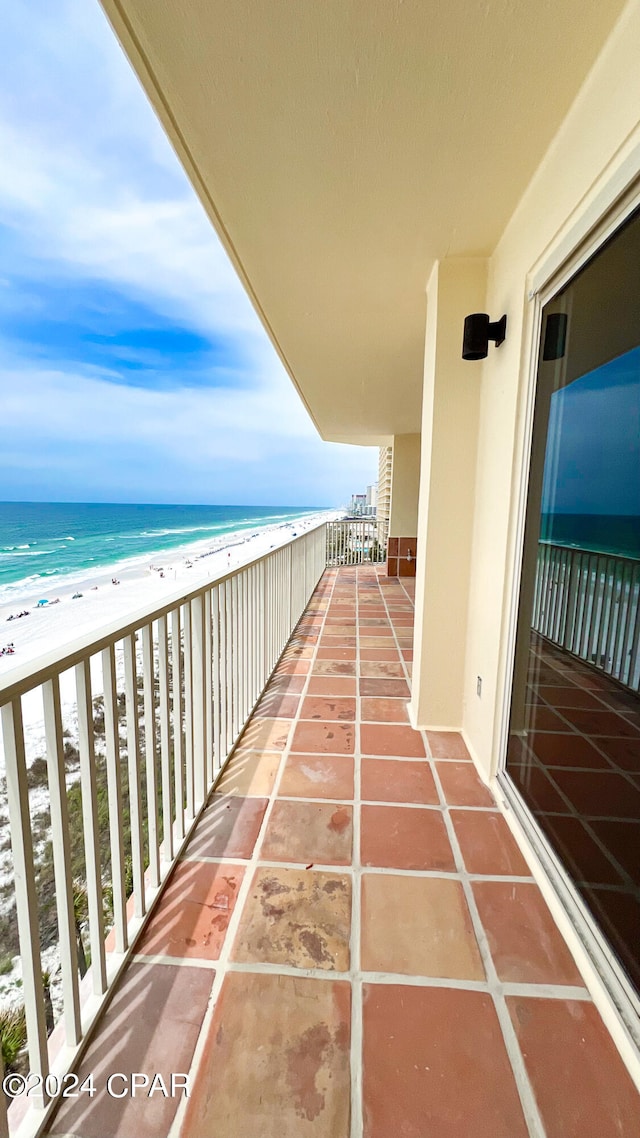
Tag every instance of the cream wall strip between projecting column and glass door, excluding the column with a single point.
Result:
(596, 152)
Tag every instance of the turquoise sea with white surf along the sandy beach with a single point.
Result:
(43, 542)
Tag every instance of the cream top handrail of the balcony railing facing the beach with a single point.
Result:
(35, 673)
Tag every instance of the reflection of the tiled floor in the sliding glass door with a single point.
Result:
(578, 766)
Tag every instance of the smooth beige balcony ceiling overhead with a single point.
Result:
(341, 147)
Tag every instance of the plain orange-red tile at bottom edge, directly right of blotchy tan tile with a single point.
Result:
(453, 1081)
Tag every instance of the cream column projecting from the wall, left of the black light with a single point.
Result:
(446, 514)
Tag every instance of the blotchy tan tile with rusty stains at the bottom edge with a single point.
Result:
(276, 1061)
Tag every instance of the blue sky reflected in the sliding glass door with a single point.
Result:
(593, 461)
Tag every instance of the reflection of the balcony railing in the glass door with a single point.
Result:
(589, 604)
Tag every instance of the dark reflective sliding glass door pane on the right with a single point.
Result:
(575, 730)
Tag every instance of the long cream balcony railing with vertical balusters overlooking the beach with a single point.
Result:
(177, 685)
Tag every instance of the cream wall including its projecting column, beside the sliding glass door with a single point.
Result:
(475, 416)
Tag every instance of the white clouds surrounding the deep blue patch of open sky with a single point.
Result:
(92, 191)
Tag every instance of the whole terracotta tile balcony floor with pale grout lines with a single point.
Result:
(352, 946)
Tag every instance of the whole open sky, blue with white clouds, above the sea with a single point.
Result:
(133, 366)
